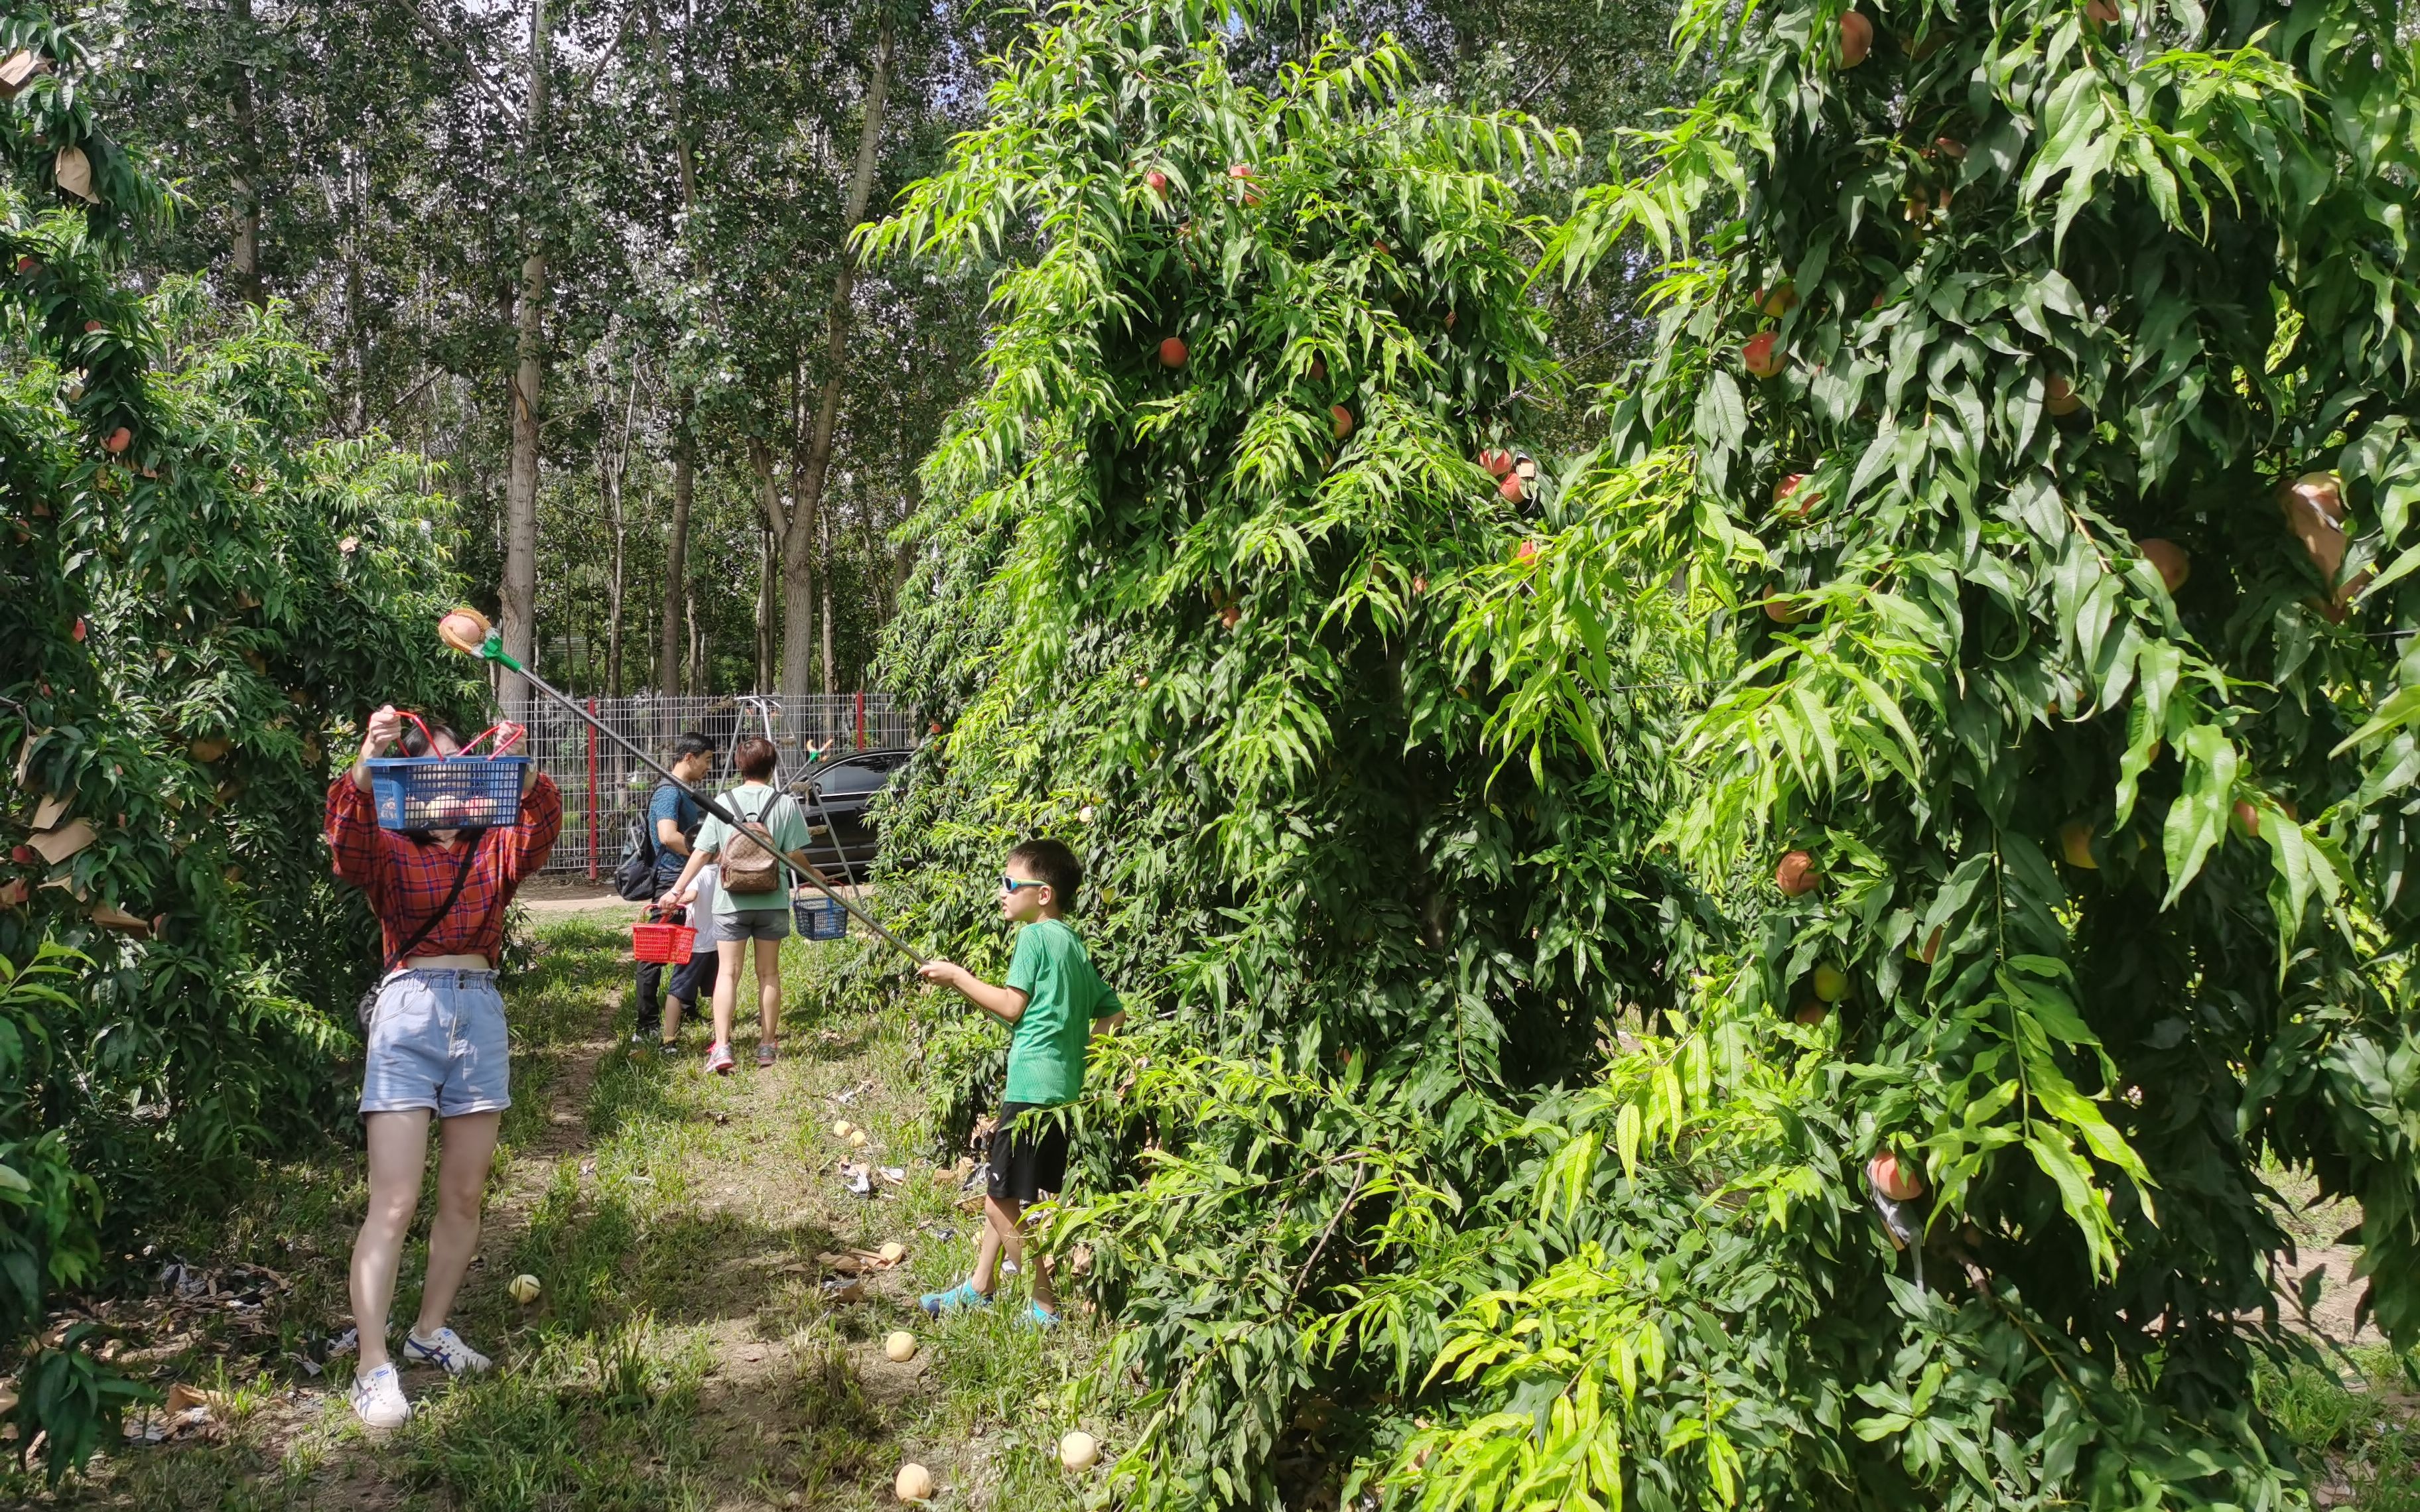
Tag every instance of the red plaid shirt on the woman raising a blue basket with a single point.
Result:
(408, 882)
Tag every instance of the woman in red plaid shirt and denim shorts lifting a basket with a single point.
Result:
(437, 1046)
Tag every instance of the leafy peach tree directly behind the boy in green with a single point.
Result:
(1231, 582)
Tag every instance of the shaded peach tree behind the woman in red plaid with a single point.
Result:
(197, 604)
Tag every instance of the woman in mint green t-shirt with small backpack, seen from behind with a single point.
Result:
(756, 916)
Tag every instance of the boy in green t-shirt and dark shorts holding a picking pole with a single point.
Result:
(1054, 1003)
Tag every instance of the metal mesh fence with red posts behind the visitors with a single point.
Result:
(606, 787)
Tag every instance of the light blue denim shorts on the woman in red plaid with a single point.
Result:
(437, 1041)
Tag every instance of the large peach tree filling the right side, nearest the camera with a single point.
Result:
(2049, 383)
